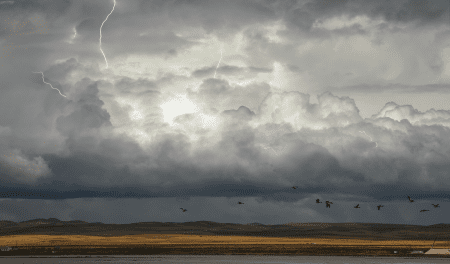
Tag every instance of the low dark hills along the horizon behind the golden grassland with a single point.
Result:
(53, 226)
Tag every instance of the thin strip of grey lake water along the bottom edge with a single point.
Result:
(190, 259)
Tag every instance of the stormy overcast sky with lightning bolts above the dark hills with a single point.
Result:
(125, 111)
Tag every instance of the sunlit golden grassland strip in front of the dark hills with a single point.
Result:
(194, 240)
